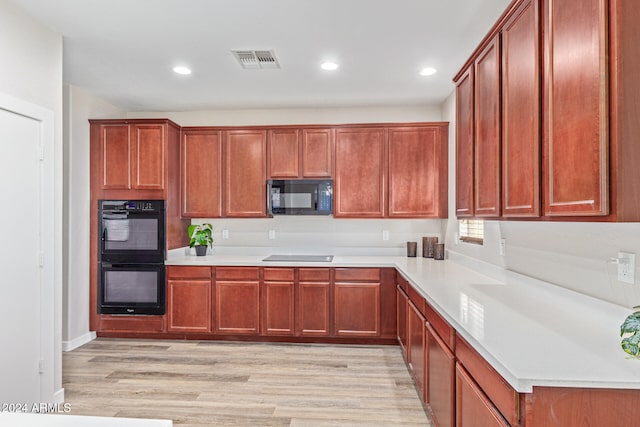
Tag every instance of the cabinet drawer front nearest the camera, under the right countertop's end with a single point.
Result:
(503, 396)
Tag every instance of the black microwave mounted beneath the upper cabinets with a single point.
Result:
(300, 197)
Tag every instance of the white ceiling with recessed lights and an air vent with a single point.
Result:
(124, 50)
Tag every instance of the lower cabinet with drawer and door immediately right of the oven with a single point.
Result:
(189, 299)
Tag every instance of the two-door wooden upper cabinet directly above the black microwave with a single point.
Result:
(300, 153)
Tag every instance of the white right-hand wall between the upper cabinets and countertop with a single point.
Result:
(571, 255)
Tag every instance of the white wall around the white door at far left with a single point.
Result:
(32, 71)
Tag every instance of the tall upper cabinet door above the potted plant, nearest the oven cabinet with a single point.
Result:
(201, 174)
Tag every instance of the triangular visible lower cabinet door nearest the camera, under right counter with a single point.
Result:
(472, 406)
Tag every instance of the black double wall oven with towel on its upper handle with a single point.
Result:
(131, 270)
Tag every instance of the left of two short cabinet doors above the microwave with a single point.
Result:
(284, 153)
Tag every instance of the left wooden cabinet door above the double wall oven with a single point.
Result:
(115, 141)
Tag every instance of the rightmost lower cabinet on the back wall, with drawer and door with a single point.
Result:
(357, 302)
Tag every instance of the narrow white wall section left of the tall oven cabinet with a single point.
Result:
(79, 107)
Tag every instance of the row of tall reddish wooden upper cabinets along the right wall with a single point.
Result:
(581, 90)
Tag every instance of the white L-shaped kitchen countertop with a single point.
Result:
(533, 333)
